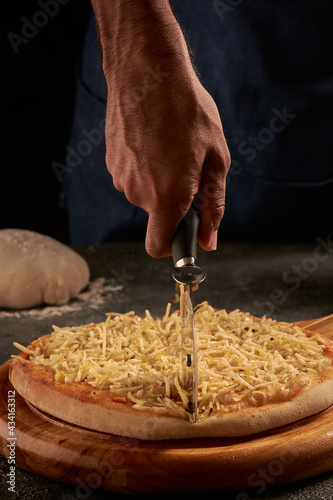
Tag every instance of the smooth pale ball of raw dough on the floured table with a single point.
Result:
(37, 269)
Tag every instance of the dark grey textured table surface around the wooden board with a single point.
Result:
(287, 282)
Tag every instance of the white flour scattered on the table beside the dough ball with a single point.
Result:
(94, 296)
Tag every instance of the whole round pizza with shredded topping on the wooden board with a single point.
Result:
(121, 376)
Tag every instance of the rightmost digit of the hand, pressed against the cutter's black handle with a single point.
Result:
(211, 201)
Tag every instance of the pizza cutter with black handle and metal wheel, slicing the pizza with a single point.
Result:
(188, 275)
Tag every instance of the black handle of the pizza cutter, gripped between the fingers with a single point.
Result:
(184, 243)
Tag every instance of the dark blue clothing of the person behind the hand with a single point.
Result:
(269, 67)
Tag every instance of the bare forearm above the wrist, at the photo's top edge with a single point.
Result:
(137, 31)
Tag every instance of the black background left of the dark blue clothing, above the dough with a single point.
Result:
(38, 92)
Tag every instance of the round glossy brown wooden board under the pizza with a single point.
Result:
(91, 460)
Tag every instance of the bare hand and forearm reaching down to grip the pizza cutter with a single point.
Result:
(164, 137)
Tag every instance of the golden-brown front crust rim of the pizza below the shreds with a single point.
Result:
(83, 405)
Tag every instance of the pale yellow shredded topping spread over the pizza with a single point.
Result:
(139, 358)
